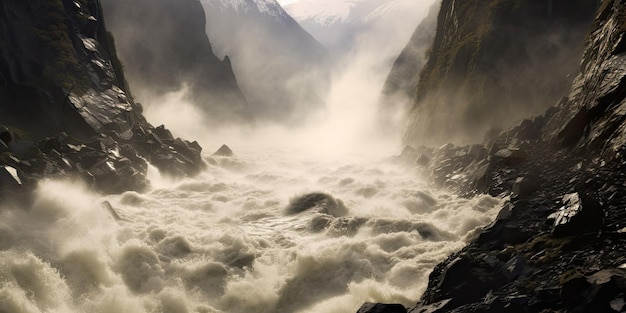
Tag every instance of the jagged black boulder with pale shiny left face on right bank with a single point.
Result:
(576, 217)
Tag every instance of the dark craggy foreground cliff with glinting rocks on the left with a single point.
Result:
(65, 108)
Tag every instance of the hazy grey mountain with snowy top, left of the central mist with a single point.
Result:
(280, 67)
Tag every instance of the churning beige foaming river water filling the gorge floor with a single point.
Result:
(265, 231)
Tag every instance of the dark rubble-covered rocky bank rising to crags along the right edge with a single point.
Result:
(557, 245)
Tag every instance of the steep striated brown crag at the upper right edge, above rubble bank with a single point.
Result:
(592, 117)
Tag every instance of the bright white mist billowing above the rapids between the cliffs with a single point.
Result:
(347, 119)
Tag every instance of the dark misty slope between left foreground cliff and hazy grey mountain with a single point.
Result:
(163, 47)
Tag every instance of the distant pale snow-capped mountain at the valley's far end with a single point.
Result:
(344, 25)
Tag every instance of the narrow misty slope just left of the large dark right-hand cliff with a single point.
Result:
(401, 84)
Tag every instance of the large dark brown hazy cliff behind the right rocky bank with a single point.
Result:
(495, 62)
